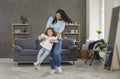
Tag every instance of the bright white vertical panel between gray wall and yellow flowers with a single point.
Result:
(93, 18)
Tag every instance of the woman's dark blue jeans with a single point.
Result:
(55, 53)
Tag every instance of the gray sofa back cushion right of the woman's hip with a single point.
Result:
(67, 42)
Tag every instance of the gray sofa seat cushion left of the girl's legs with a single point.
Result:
(28, 52)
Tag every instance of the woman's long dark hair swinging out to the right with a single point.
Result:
(63, 15)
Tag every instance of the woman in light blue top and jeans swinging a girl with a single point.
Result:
(58, 24)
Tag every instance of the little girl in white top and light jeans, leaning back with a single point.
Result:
(48, 38)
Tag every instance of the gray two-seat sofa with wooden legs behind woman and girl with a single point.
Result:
(26, 50)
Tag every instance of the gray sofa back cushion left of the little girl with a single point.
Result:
(26, 43)
